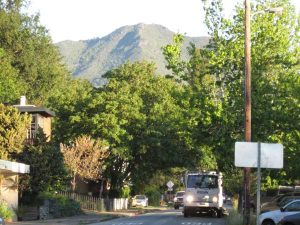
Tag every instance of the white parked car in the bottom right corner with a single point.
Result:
(273, 217)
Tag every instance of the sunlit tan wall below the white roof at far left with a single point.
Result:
(9, 190)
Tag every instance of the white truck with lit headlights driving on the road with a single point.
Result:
(203, 193)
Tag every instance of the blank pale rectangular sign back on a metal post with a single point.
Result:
(246, 155)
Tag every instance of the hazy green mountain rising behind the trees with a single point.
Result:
(90, 59)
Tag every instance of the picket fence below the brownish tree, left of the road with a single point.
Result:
(97, 204)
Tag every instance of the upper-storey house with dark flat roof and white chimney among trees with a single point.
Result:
(40, 118)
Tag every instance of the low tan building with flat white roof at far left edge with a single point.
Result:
(9, 172)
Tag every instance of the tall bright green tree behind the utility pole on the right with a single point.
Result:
(275, 77)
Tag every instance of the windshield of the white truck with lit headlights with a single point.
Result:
(202, 181)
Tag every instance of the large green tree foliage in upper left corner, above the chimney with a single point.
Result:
(30, 57)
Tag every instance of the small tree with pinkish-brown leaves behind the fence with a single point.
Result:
(85, 158)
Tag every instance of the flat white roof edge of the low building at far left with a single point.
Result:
(8, 167)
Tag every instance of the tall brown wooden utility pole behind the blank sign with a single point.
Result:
(247, 171)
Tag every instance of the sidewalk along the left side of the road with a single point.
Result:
(90, 217)
